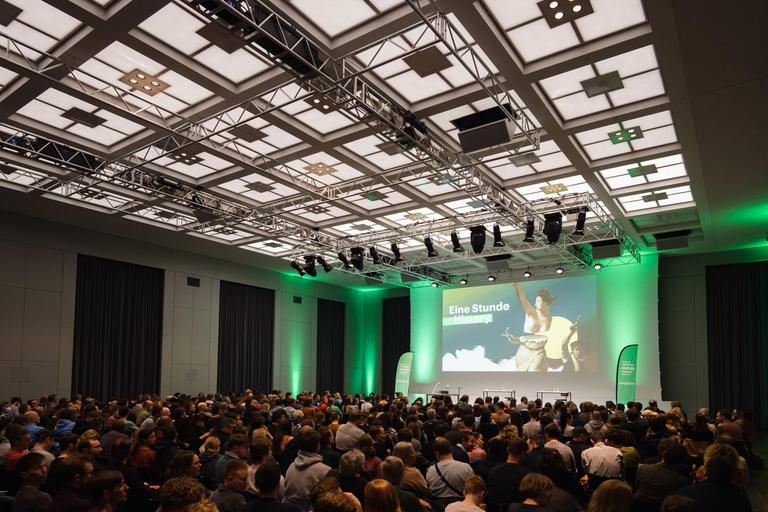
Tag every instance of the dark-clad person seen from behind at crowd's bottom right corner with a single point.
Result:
(716, 492)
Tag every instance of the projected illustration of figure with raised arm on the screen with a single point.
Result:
(547, 339)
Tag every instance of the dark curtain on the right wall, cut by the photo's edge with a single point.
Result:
(737, 336)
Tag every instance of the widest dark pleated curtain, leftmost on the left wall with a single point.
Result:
(118, 329)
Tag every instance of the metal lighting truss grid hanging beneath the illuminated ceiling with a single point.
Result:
(64, 171)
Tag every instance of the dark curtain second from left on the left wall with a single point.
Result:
(246, 338)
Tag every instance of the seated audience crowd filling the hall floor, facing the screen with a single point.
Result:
(329, 452)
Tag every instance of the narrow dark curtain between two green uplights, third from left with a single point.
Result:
(330, 345)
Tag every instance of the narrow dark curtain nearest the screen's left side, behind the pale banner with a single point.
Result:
(395, 338)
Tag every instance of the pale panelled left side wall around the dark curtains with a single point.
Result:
(38, 264)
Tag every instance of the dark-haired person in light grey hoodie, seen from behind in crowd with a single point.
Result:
(305, 471)
